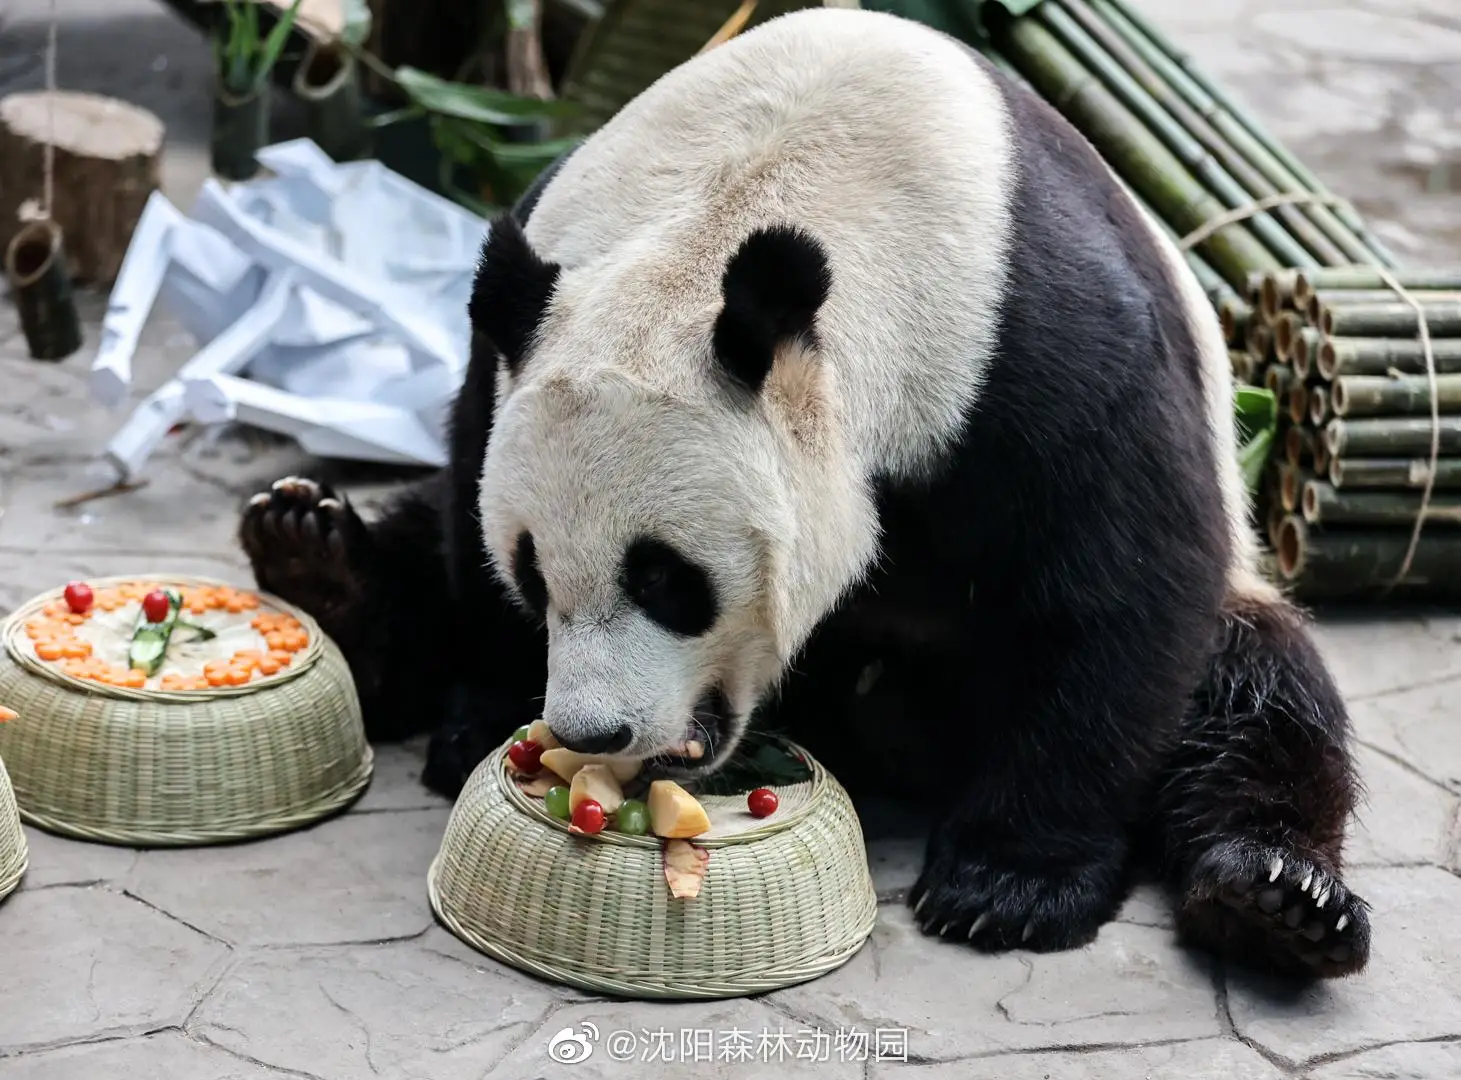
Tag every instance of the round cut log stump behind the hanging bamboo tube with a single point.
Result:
(106, 167)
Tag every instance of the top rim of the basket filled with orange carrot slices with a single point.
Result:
(12, 626)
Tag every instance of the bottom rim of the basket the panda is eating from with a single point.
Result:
(644, 990)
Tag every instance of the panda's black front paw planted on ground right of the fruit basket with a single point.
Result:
(966, 897)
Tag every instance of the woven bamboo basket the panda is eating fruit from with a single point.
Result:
(785, 900)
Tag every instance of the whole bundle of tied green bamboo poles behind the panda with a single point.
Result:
(1304, 293)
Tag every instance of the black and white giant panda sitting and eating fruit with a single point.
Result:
(836, 385)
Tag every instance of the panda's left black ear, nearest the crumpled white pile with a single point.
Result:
(512, 290)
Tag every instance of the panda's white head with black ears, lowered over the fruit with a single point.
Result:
(663, 436)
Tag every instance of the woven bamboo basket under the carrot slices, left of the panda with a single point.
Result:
(154, 768)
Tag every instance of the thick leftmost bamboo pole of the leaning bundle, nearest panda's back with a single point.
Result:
(1132, 150)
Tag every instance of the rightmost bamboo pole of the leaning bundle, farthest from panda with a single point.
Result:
(1238, 126)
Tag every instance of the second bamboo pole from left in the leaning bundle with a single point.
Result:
(1288, 233)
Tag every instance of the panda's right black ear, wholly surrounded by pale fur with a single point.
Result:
(774, 287)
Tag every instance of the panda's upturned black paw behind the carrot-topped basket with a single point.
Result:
(309, 547)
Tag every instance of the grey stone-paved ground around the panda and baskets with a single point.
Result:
(316, 957)
